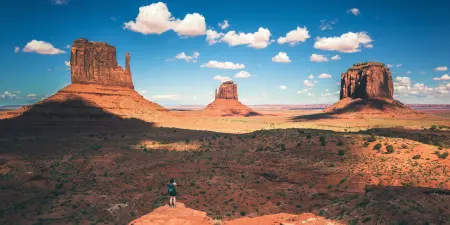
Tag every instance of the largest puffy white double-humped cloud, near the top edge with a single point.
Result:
(157, 19)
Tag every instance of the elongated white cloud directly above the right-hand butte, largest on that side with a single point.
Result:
(349, 42)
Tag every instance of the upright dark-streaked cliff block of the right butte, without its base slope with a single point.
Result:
(366, 81)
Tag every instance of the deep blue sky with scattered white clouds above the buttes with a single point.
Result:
(412, 37)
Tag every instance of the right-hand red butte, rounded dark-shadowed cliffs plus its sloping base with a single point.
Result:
(367, 88)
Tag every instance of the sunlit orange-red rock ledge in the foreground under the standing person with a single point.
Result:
(165, 215)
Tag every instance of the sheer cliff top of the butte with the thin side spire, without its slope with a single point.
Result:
(96, 63)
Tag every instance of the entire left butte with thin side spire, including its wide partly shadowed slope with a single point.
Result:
(100, 88)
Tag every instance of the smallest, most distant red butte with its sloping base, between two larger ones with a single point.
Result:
(226, 103)
